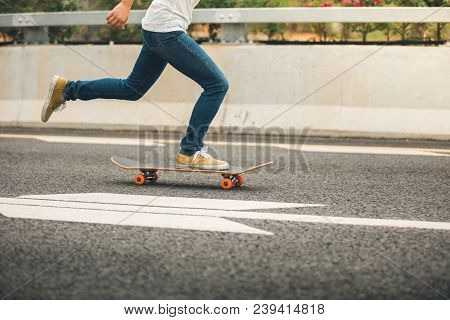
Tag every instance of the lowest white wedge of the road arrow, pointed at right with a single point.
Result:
(138, 219)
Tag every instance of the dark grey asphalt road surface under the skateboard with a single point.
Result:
(42, 259)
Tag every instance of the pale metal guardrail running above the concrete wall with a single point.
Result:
(234, 19)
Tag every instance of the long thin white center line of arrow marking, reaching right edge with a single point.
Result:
(104, 208)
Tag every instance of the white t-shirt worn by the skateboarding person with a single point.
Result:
(169, 15)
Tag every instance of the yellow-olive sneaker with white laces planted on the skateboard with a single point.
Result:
(200, 160)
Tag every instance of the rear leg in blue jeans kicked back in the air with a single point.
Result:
(146, 71)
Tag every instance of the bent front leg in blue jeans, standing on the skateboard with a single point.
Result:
(185, 55)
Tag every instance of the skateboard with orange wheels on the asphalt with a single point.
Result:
(149, 172)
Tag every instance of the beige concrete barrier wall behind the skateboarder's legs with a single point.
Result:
(364, 91)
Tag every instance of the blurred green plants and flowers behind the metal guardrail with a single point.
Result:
(406, 33)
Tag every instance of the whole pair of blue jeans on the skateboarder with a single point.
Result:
(159, 49)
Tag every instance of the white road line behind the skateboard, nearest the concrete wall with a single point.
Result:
(303, 147)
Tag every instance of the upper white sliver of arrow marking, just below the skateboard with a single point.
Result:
(156, 201)
